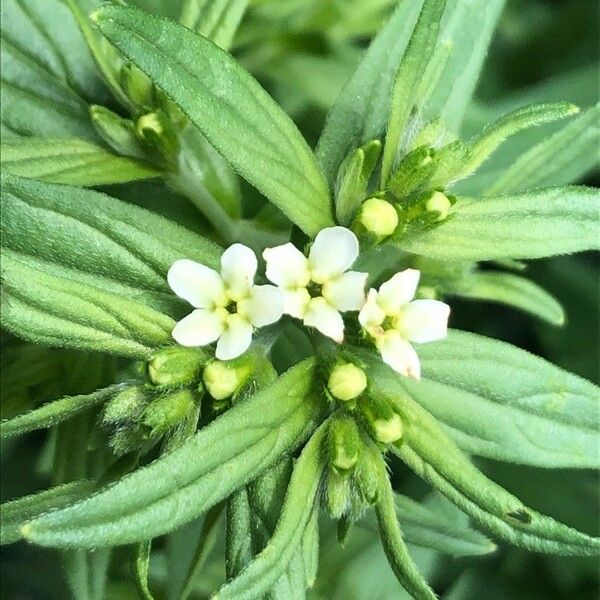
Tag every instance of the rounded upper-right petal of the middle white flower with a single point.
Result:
(333, 252)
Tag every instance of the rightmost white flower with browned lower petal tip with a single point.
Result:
(394, 321)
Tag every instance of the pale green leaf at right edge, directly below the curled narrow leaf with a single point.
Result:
(562, 158)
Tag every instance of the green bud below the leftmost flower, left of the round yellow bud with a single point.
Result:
(175, 365)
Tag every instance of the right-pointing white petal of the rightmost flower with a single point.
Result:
(423, 321)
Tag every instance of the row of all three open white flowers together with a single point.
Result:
(315, 289)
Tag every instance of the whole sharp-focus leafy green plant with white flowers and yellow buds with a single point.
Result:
(275, 393)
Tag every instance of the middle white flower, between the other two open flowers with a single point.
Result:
(316, 289)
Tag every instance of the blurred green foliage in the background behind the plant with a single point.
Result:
(302, 52)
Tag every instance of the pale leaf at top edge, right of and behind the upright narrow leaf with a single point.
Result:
(467, 28)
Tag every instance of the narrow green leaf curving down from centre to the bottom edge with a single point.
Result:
(257, 578)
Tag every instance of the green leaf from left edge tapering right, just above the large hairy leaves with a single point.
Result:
(73, 161)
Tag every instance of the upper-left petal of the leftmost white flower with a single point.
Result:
(201, 286)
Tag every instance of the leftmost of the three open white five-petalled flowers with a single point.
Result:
(228, 305)
